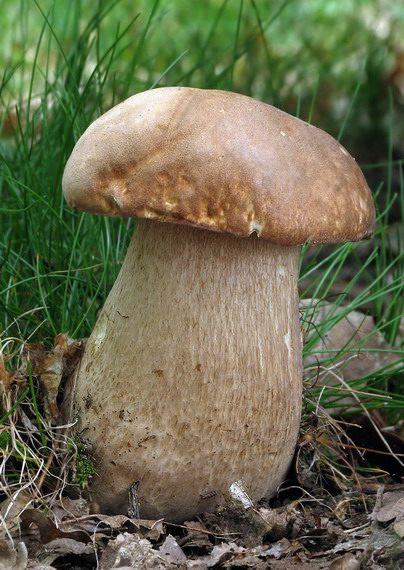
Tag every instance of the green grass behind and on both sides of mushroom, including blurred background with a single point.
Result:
(66, 63)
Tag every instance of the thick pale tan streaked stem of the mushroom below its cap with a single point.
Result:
(192, 377)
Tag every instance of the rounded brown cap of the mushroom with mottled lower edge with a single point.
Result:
(220, 161)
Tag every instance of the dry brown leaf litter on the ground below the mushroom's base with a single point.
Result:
(308, 532)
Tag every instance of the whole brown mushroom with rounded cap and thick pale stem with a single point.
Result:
(192, 376)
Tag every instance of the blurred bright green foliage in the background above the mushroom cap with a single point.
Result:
(284, 52)
